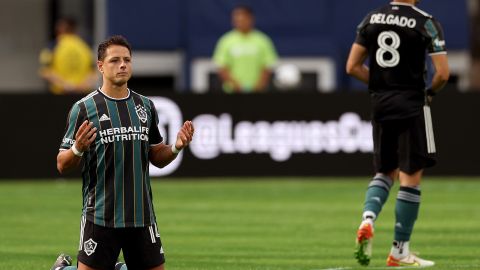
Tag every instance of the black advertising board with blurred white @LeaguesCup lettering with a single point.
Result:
(248, 135)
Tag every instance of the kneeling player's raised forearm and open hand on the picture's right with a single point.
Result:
(161, 154)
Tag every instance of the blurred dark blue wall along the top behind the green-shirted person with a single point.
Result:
(298, 28)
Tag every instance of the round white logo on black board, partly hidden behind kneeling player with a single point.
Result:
(170, 120)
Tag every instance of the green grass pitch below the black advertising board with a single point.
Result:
(249, 223)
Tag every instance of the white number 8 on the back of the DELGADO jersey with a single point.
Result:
(390, 48)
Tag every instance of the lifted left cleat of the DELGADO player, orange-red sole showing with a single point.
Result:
(363, 251)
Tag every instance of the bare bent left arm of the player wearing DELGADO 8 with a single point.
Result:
(356, 63)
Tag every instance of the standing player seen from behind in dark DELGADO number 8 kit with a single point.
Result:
(396, 38)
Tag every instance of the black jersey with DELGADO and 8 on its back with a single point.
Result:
(398, 37)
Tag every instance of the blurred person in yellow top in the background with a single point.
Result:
(67, 64)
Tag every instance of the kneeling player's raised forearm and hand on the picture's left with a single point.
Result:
(85, 136)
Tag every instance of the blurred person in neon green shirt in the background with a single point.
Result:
(244, 56)
